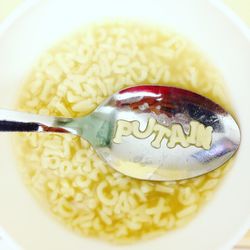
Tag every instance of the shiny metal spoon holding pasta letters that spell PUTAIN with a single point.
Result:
(147, 132)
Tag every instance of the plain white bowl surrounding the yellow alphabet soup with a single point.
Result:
(36, 26)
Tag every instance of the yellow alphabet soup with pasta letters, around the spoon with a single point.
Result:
(64, 172)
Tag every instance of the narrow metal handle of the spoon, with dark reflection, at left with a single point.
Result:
(14, 121)
